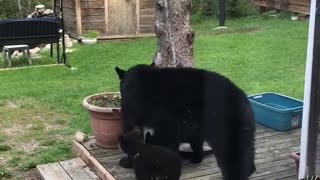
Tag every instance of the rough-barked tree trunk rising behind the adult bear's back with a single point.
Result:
(175, 36)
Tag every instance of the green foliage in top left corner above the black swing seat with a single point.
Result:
(10, 8)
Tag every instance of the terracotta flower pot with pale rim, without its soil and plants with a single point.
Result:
(105, 122)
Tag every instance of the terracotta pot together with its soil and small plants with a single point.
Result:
(104, 113)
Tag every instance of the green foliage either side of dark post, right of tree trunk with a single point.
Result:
(234, 8)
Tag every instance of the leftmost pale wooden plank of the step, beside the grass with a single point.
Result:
(52, 171)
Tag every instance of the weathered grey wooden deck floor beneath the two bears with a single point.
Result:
(272, 159)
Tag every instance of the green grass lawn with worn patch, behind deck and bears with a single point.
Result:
(40, 108)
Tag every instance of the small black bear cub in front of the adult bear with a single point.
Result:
(150, 162)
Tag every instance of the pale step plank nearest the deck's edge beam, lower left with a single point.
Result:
(75, 168)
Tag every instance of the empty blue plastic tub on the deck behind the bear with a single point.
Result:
(277, 111)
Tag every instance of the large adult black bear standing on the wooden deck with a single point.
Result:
(187, 104)
